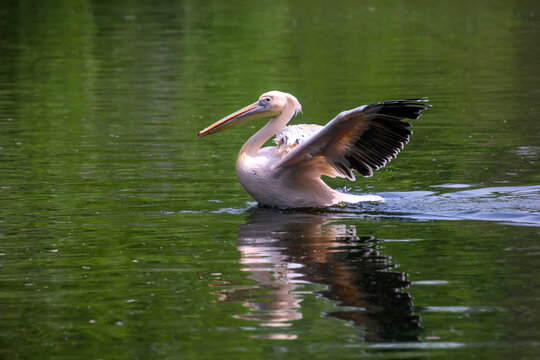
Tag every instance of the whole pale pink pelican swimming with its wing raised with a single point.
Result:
(288, 175)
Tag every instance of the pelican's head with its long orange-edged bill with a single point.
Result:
(270, 104)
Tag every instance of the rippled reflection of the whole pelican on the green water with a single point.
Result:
(283, 250)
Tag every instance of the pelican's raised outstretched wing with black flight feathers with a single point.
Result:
(362, 139)
